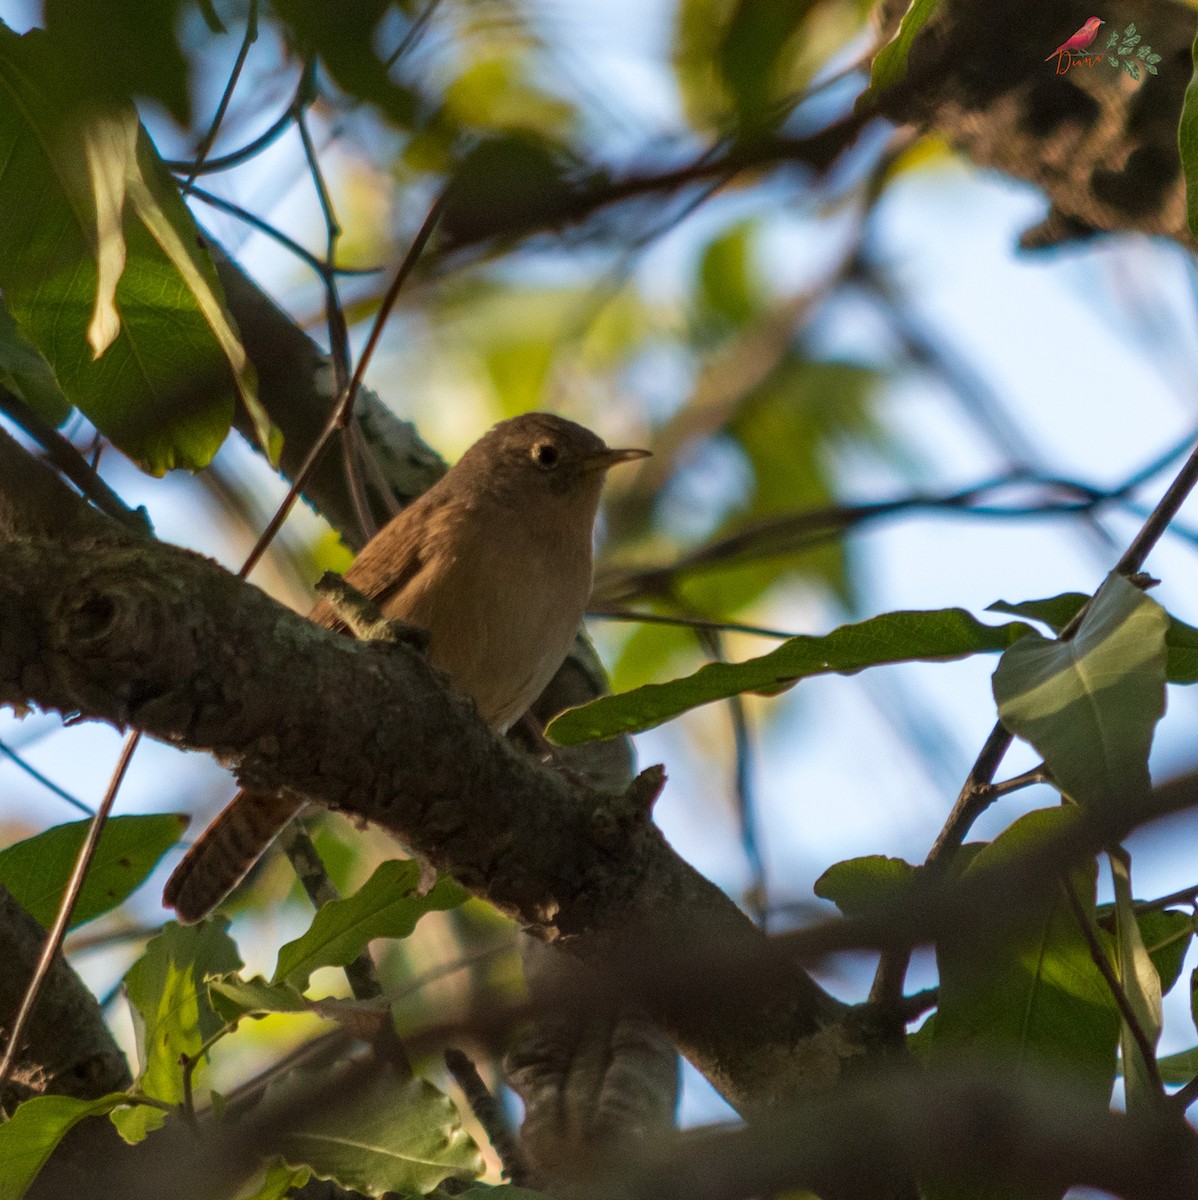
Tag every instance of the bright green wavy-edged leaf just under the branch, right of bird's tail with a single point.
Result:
(385, 907)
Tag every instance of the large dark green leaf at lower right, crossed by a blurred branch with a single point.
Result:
(1031, 994)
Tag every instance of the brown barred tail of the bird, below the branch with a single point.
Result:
(223, 857)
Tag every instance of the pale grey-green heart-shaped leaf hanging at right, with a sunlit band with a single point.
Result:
(1091, 705)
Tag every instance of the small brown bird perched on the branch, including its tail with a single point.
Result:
(495, 563)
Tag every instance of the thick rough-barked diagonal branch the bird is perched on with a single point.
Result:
(153, 637)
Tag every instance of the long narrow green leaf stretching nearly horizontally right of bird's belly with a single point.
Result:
(936, 637)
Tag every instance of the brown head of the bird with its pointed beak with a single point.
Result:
(542, 455)
